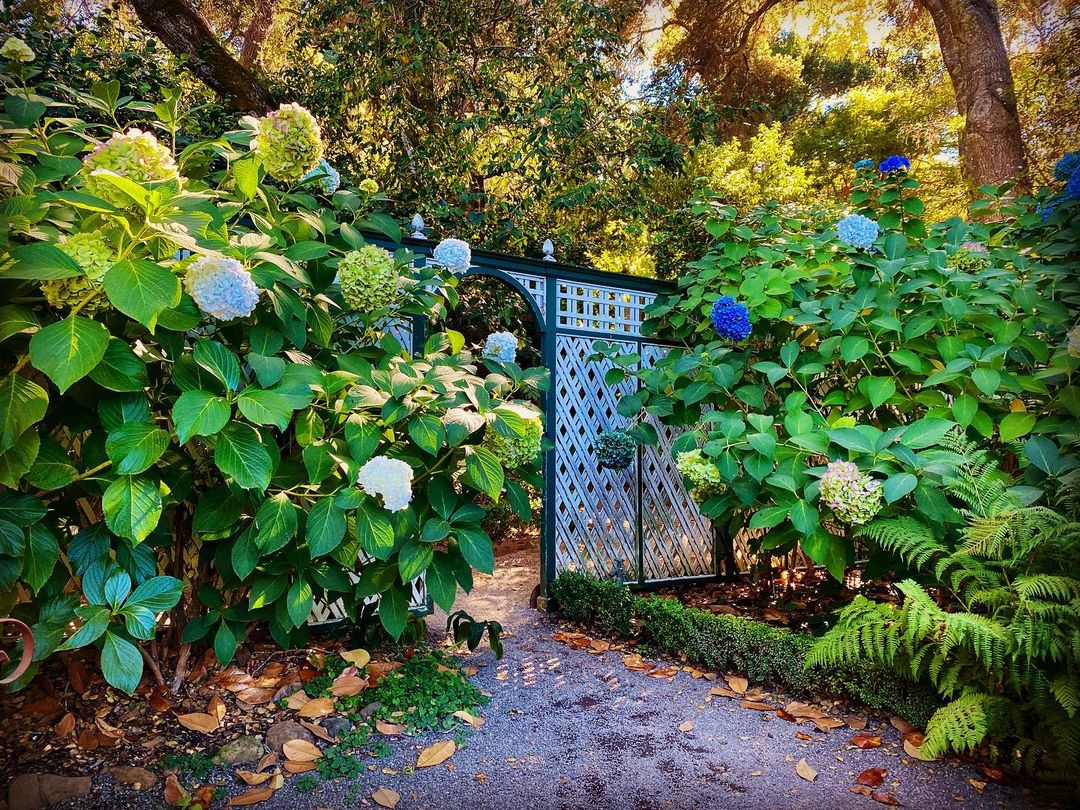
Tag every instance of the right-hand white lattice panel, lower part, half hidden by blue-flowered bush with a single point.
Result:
(677, 538)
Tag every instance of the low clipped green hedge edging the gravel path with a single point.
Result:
(765, 654)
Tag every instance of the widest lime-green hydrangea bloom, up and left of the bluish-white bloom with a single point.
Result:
(134, 155)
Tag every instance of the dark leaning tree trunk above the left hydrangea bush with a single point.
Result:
(183, 32)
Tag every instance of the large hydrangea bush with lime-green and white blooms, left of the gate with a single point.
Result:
(197, 421)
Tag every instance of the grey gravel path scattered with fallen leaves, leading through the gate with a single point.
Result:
(568, 730)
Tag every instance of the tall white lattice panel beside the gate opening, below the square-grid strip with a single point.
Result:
(596, 510)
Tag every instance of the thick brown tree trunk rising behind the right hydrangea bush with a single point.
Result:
(975, 53)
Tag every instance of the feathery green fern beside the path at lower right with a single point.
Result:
(995, 626)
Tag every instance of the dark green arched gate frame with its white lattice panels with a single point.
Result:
(640, 524)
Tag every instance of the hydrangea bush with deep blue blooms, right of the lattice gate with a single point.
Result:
(859, 362)
